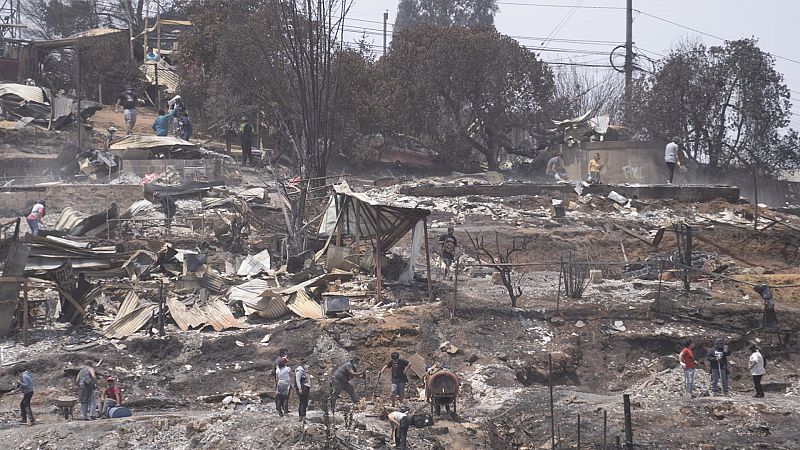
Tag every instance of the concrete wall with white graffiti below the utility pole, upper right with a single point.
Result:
(625, 161)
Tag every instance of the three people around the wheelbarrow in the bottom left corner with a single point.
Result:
(86, 382)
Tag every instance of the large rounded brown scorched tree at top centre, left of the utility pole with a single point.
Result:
(464, 90)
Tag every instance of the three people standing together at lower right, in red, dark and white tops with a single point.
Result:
(717, 357)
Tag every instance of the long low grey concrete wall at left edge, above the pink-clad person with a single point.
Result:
(86, 198)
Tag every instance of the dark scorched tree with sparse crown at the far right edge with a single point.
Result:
(728, 103)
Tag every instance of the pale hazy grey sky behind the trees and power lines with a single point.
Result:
(773, 22)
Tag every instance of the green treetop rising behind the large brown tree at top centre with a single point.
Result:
(445, 13)
